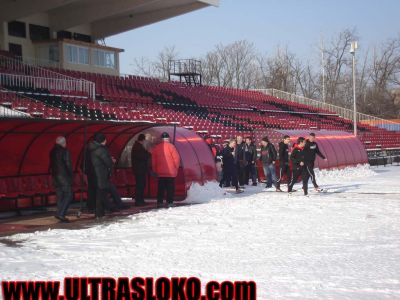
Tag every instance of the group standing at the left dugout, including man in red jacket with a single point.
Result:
(161, 161)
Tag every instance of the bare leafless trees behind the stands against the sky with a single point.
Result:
(239, 65)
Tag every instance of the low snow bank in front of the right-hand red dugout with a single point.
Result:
(346, 174)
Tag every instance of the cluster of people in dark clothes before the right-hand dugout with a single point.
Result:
(239, 159)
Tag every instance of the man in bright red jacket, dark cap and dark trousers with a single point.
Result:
(165, 163)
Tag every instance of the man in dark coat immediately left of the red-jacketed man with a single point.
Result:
(140, 164)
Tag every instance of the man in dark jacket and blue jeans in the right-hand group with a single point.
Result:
(268, 157)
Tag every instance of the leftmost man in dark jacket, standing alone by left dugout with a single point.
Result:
(62, 174)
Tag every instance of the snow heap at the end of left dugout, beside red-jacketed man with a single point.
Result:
(204, 193)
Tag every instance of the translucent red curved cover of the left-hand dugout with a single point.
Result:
(25, 145)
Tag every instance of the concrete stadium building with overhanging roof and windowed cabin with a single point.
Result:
(68, 33)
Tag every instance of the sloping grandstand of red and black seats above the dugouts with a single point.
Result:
(222, 112)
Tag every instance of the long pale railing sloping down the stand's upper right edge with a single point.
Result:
(341, 111)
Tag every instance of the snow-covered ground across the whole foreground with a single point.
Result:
(344, 244)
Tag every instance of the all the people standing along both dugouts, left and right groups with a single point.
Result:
(239, 158)
